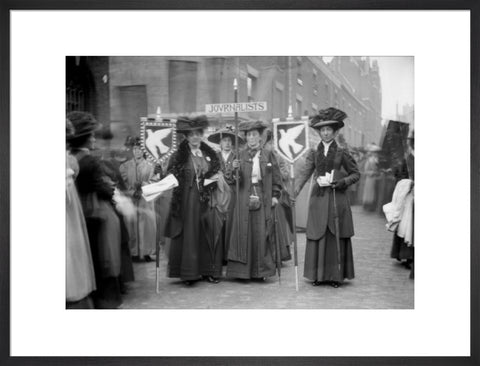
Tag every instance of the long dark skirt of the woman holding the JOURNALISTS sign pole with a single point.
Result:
(260, 262)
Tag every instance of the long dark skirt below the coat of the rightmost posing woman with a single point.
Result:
(321, 262)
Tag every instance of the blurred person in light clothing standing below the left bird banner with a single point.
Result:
(143, 228)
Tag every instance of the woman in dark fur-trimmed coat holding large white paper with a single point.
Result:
(191, 256)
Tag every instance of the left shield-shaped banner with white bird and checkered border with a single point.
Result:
(159, 138)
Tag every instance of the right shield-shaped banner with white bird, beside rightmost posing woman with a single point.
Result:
(290, 138)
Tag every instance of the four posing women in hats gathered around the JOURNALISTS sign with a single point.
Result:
(211, 224)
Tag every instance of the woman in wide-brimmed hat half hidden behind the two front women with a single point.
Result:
(225, 137)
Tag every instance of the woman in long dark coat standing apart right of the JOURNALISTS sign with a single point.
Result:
(321, 261)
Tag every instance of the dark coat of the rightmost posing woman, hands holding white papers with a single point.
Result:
(321, 209)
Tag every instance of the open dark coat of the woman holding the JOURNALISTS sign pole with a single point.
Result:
(271, 183)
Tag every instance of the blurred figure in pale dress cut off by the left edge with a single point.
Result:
(79, 267)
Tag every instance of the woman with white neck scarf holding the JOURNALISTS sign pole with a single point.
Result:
(251, 250)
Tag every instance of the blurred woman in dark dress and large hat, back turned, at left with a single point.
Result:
(96, 190)
